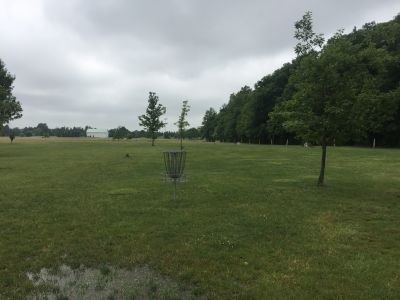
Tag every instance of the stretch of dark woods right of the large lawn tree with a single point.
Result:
(379, 47)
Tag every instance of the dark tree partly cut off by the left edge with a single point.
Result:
(10, 108)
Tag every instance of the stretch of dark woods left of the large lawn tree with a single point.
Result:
(245, 117)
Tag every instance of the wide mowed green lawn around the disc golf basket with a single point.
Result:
(249, 223)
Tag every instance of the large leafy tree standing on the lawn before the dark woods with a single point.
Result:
(322, 107)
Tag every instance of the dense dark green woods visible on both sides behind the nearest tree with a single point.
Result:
(246, 117)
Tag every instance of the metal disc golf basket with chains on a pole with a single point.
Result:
(174, 165)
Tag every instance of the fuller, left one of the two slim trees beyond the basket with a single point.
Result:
(151, 120)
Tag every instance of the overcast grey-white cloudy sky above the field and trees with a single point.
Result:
(93, 63)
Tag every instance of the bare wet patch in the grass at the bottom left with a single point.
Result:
(106, 283)
